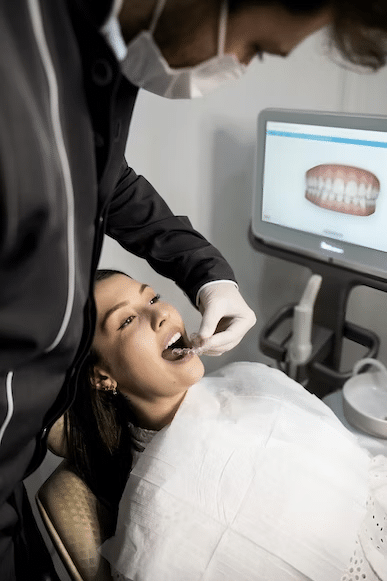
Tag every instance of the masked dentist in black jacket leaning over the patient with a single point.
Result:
(70, 72)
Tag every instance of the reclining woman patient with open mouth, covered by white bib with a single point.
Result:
(242, 475)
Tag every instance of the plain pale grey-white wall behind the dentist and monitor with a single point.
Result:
(200, 155)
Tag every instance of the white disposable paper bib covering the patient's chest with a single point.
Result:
(254, 480)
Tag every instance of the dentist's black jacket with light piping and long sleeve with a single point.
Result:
(65, 110)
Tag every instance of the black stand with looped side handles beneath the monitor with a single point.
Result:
(321, 371)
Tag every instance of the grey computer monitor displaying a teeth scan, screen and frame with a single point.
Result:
(320, 187)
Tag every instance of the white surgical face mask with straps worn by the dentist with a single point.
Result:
(145, 66)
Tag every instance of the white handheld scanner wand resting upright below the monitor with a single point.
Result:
(300, 346)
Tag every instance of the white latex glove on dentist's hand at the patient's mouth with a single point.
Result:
(226, 318)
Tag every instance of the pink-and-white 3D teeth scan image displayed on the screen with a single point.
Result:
(342, 188)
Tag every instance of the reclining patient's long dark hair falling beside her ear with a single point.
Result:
(98, 431)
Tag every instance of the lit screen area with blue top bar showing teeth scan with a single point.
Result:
(324, 181)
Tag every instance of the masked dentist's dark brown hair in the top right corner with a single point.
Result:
(358, 29)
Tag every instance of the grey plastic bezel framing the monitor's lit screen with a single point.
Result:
(354, 257)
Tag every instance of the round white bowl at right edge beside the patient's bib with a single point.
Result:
(365, 402)
